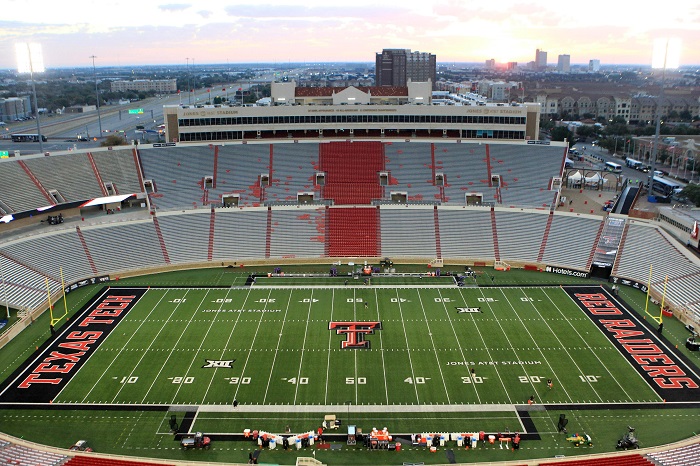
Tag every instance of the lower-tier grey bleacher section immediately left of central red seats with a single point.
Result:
(297, 233)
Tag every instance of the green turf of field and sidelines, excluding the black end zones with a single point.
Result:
(290, 357)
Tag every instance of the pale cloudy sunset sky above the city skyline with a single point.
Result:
(145, 32)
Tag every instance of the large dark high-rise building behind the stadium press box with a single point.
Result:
(394, 67)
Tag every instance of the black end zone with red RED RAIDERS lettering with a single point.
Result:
(663, 369)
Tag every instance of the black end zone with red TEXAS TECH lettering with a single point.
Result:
(44, 375)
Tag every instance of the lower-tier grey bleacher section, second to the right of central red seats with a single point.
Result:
(466, 233)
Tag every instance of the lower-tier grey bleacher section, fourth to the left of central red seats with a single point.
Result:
(126, 246)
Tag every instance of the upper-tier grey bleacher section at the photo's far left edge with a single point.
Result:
(17, 190)
